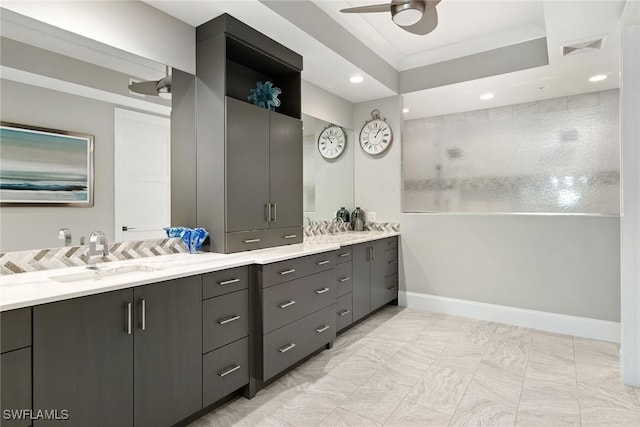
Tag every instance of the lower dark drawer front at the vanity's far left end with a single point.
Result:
(16, 384)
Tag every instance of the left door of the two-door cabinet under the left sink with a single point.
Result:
(83, 360)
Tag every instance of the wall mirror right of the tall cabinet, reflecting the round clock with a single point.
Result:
(327, 182)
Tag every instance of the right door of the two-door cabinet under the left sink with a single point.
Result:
(168, 351)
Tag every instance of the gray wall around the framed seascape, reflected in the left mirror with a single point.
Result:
(37, 227)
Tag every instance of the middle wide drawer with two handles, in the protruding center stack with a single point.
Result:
(290, 301)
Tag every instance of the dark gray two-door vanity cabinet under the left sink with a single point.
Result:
(121, 358)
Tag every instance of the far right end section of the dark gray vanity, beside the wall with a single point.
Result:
(375, 275)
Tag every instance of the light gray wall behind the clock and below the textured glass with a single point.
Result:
(560, 264)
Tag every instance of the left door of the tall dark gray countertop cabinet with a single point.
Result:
(247, 166)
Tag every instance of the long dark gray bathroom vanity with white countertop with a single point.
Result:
(162, 344)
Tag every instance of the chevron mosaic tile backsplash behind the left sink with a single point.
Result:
(74, 256)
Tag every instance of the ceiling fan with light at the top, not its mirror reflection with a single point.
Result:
(415, 16)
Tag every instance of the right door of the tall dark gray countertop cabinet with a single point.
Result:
(285, 160)
